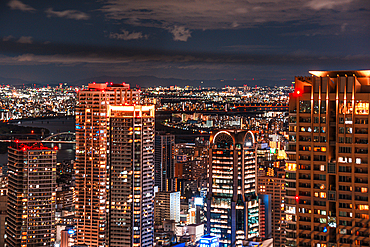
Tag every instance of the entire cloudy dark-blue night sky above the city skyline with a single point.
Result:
(268, 40)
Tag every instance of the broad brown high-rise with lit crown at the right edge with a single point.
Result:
(329, 114)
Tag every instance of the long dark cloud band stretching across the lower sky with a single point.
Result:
(72, 54)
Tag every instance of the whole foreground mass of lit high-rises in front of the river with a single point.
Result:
(268, 184)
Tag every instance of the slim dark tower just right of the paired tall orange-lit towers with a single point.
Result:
(164, 167)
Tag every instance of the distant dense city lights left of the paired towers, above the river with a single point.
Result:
(26, 102)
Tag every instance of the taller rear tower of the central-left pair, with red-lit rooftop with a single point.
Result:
(91, 156)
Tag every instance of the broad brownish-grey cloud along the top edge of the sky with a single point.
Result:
(228, 14)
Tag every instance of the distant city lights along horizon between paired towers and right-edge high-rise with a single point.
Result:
(190, 99)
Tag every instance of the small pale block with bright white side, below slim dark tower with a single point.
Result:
(166, 206)
